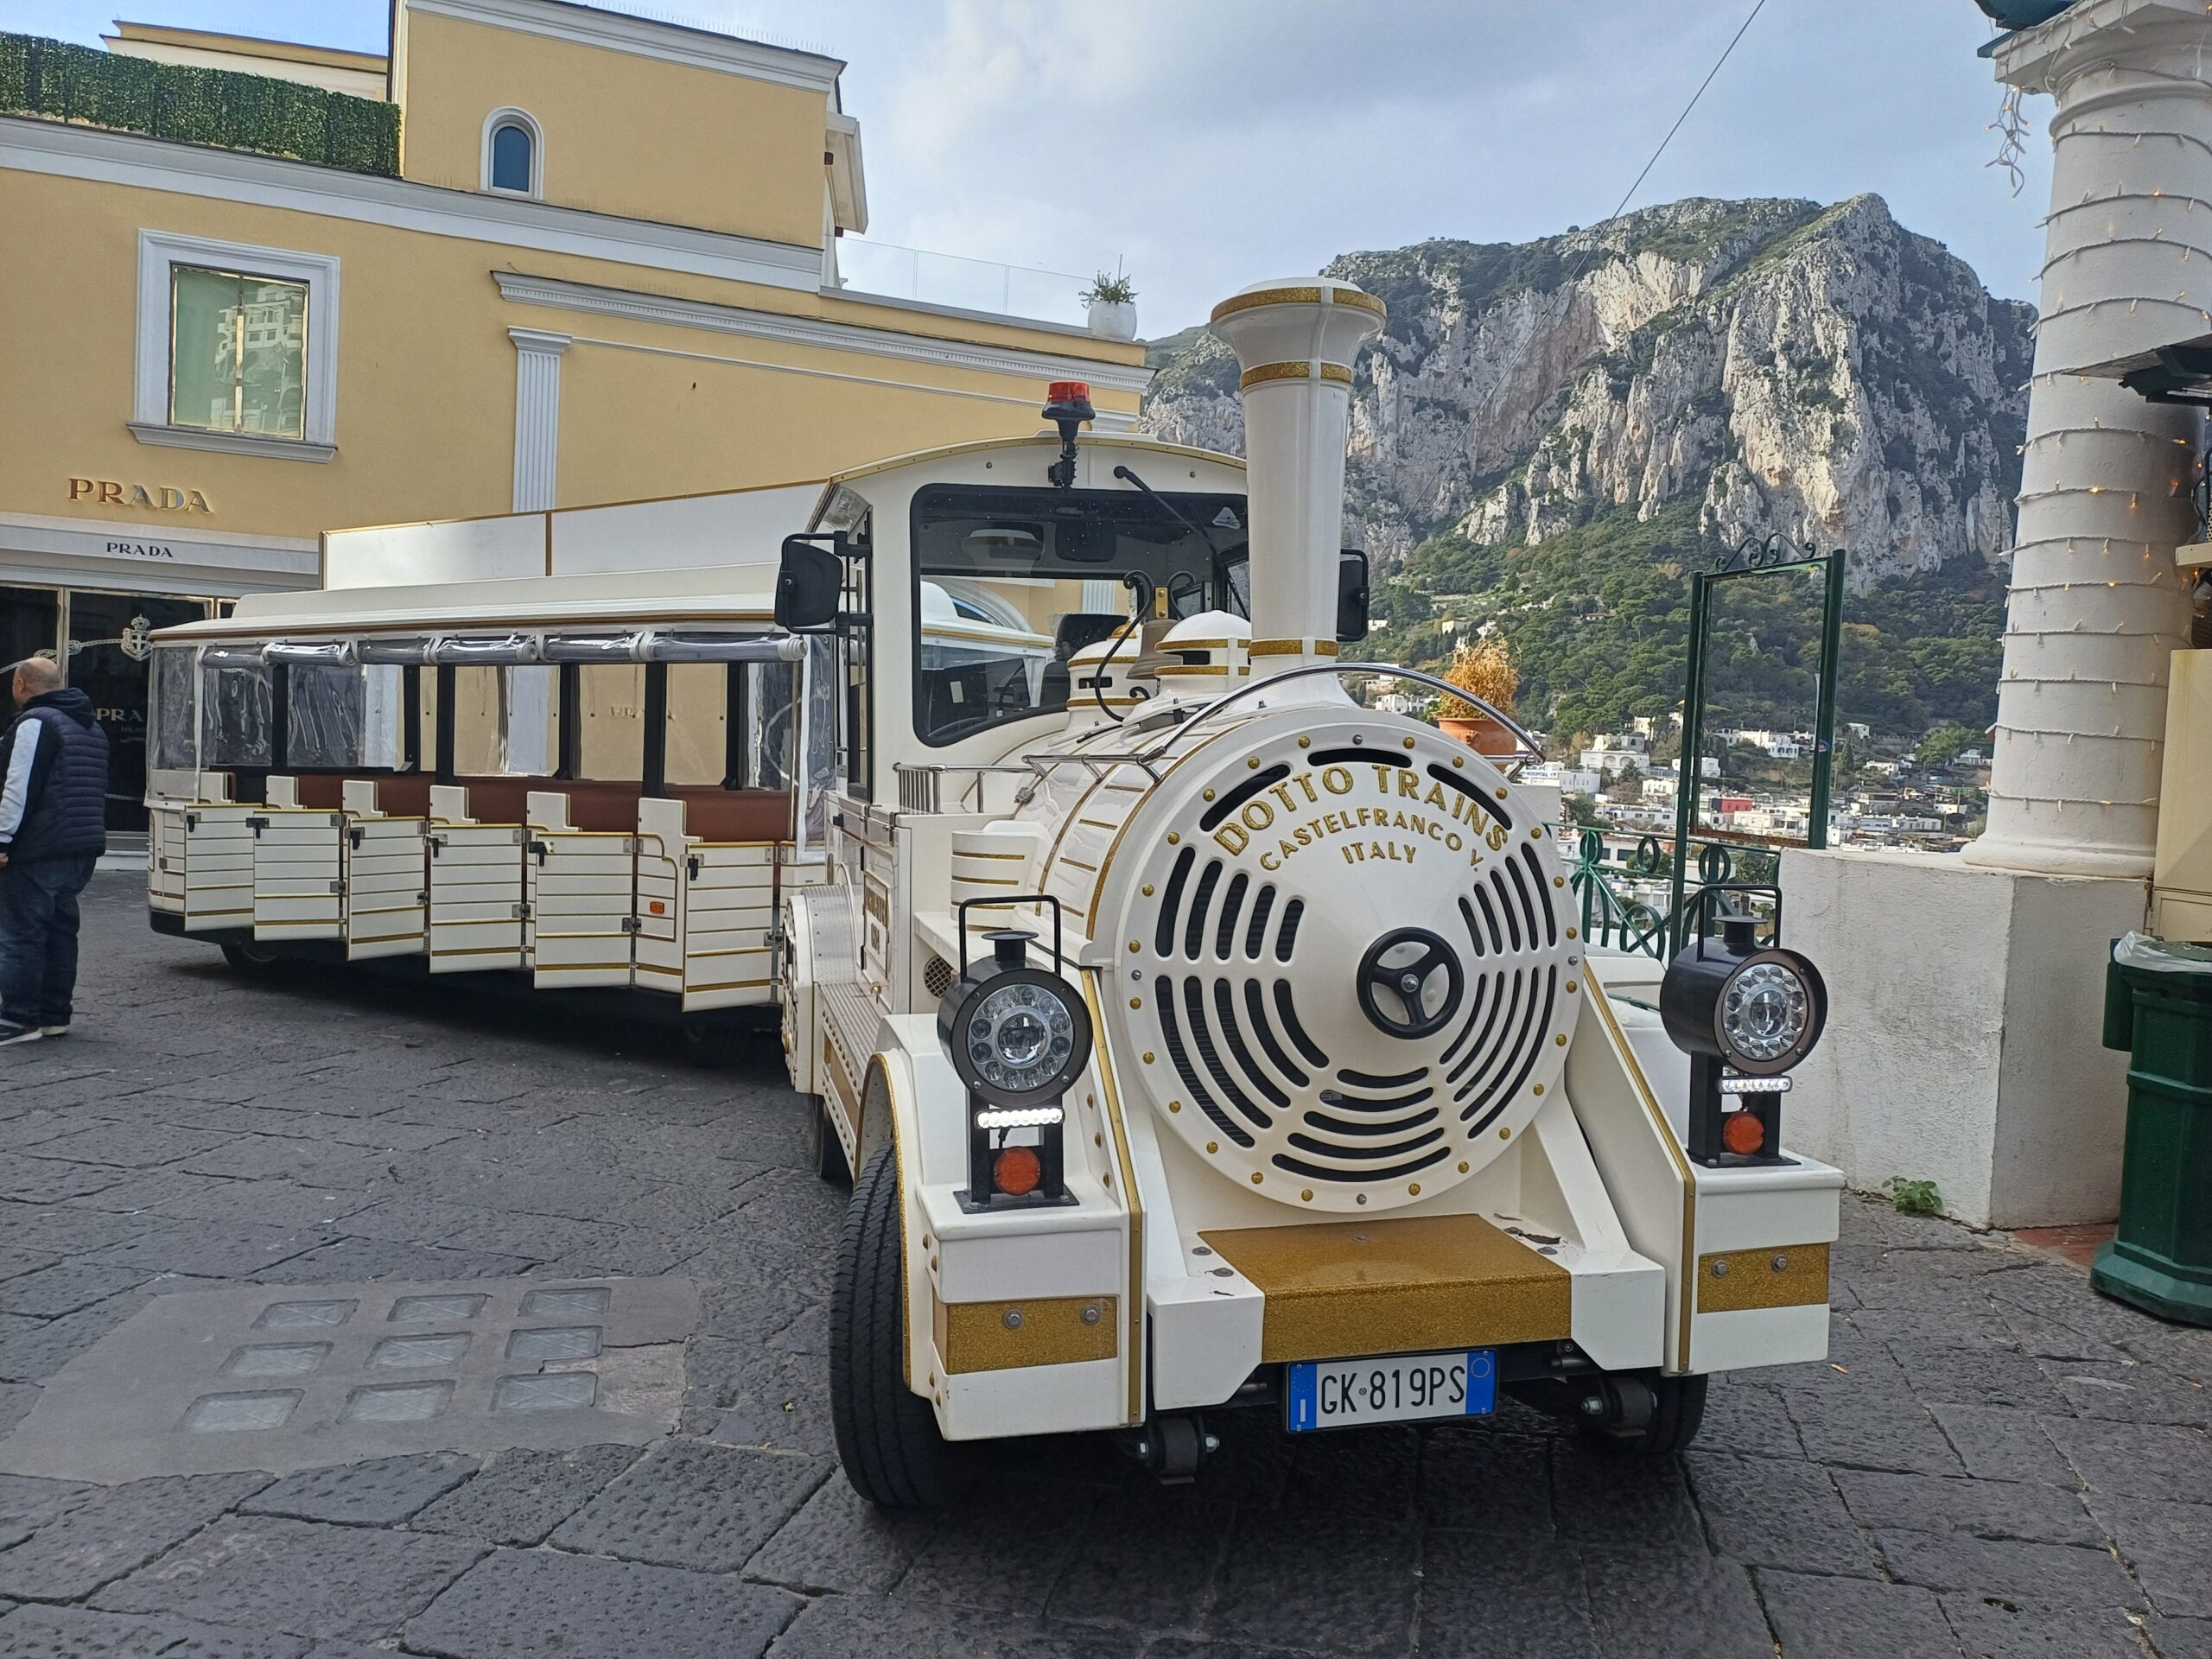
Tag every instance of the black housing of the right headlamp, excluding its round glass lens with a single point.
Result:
(1726, 1083)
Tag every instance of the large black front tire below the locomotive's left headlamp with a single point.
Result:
(886, 1437)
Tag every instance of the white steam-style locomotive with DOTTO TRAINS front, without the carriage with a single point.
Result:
(1233, 1045)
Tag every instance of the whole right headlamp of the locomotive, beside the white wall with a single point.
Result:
(1744, 1014)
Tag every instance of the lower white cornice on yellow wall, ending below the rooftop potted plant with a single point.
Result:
(820, 333)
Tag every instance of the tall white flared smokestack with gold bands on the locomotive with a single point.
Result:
(1295, 344)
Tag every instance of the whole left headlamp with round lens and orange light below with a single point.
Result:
(1019, 1039)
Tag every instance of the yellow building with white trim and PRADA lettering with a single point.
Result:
(543, 255)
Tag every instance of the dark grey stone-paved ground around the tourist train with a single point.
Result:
(1996, 1461)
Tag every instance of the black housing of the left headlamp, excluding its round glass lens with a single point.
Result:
(990, 1105)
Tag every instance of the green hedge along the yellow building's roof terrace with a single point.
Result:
(198, 105)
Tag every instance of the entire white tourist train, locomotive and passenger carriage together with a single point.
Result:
(1193, 1036)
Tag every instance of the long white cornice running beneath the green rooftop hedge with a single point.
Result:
(143, 163)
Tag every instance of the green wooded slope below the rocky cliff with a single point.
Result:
(1598, 620)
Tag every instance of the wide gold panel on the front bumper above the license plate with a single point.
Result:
(1350, 1288)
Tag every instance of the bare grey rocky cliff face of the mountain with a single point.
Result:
(1822, 373)
